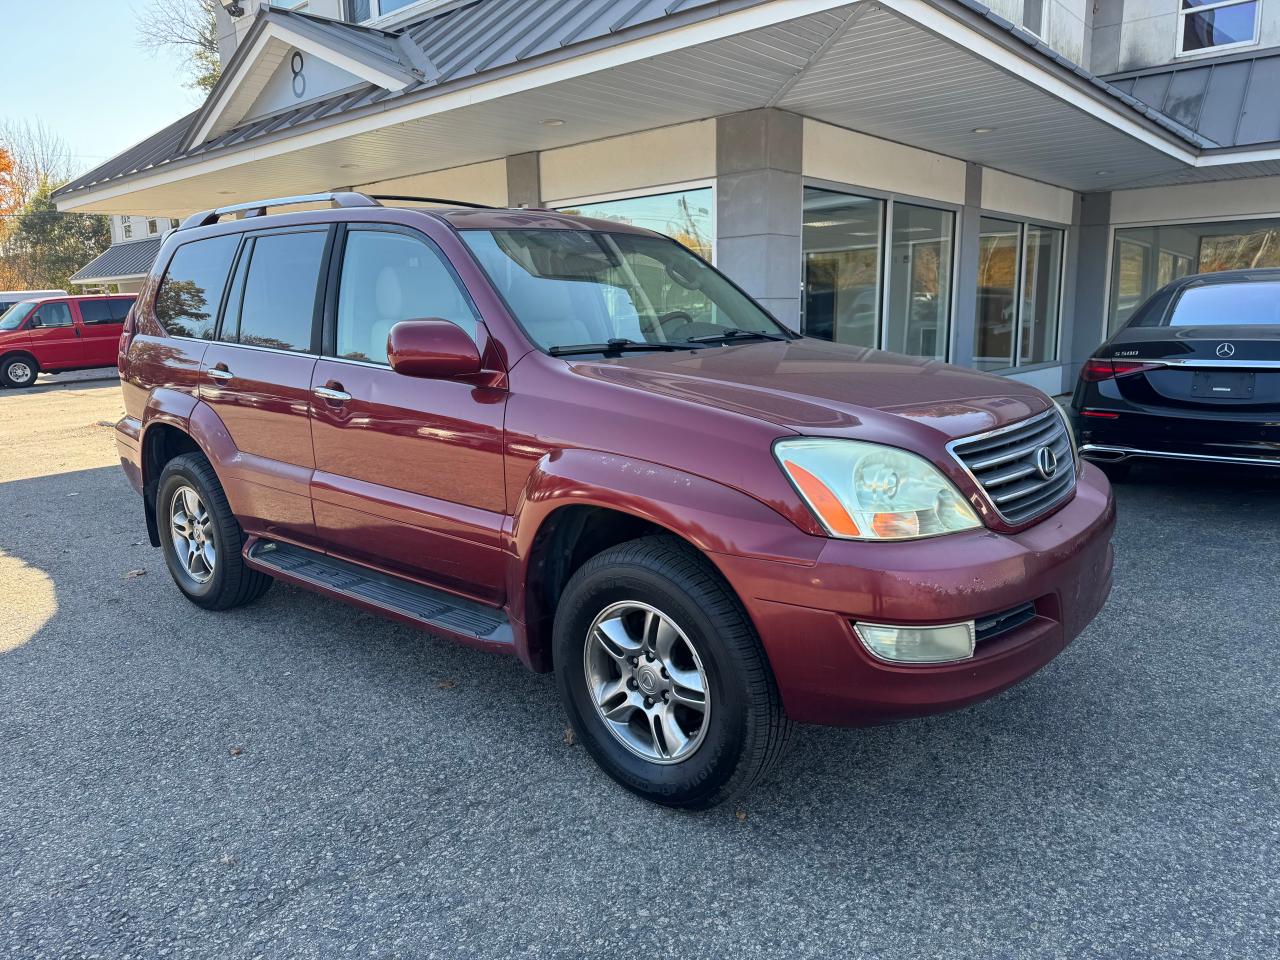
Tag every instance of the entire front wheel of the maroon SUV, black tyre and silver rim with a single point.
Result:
(664, 678)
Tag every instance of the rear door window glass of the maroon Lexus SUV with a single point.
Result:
(280, 300)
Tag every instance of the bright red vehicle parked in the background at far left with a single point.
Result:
(61, 333)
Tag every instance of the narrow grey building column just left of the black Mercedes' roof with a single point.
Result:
(1086, 309)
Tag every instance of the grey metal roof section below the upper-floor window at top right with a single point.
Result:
(1231, 102)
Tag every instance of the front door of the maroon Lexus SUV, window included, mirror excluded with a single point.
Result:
(409, 472)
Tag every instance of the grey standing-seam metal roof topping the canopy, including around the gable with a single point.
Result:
(493, 36)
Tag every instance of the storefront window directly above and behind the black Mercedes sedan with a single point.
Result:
(1148, 258)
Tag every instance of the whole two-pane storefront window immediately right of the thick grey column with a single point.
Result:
(845, 273)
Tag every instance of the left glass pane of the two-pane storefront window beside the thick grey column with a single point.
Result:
(843, 243)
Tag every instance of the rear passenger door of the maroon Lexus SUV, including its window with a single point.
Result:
(257, 377)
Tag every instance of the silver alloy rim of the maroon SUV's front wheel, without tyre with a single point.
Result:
(647, 683)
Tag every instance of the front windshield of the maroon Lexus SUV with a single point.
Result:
(579, 287)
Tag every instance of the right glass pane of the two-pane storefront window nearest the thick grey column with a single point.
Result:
(920, 285)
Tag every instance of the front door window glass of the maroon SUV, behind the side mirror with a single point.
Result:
(387, 278)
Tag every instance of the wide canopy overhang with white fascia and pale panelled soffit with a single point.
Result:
(926, 74)
